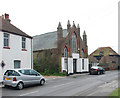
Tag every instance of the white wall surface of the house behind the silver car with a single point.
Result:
(15, 53)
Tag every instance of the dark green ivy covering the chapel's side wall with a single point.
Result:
(46, 64)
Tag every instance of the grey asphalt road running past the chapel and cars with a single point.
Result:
(77, 85)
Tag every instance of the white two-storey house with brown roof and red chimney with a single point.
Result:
(15, 47)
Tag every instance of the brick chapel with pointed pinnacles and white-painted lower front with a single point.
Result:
(63, 50)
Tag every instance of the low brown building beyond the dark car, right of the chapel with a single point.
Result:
(106, 57)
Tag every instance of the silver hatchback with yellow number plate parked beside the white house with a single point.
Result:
(20, 78)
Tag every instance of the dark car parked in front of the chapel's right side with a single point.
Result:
(96, 70)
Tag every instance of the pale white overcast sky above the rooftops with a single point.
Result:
(99, 18)
